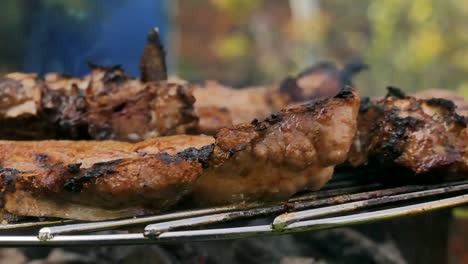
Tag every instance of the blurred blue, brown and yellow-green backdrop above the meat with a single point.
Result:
(409, 44)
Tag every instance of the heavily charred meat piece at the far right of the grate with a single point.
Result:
(422, 135)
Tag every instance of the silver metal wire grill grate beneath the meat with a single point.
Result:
(347, 200)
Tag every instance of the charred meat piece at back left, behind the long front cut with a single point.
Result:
(107, 104)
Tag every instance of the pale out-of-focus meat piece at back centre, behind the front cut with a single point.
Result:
(215, 102)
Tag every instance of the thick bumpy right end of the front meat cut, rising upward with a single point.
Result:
(293, 150)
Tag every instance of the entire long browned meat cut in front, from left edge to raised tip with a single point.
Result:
(268, 160)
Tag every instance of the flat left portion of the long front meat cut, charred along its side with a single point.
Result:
(95, 180)
